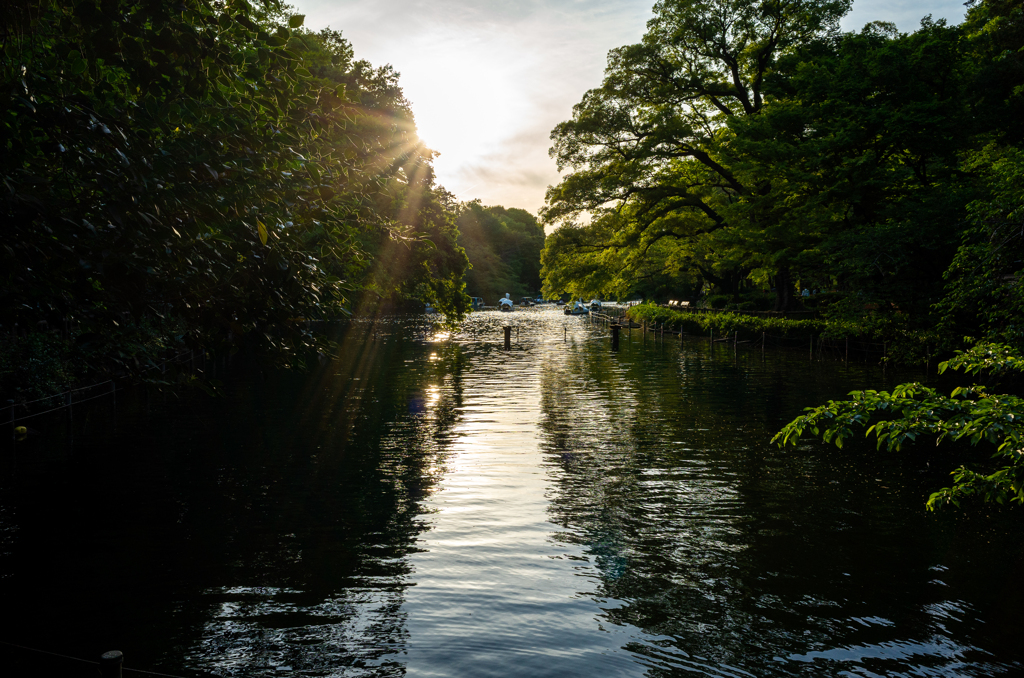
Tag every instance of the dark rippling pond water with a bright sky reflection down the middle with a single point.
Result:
(434, 505)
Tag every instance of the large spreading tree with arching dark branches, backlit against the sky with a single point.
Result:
(651, 138)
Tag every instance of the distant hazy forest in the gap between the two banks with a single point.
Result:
(504, 250)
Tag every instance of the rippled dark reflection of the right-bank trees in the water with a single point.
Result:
(727, 550)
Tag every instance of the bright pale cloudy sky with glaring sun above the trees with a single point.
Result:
(489, 79)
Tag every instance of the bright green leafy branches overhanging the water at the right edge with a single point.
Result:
(913, 411)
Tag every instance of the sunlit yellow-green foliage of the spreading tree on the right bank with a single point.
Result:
(649, 150)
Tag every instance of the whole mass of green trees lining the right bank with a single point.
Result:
(746, 151)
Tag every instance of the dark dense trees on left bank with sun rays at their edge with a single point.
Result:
(201, 176)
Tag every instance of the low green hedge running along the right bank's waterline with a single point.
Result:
(875, 338)
